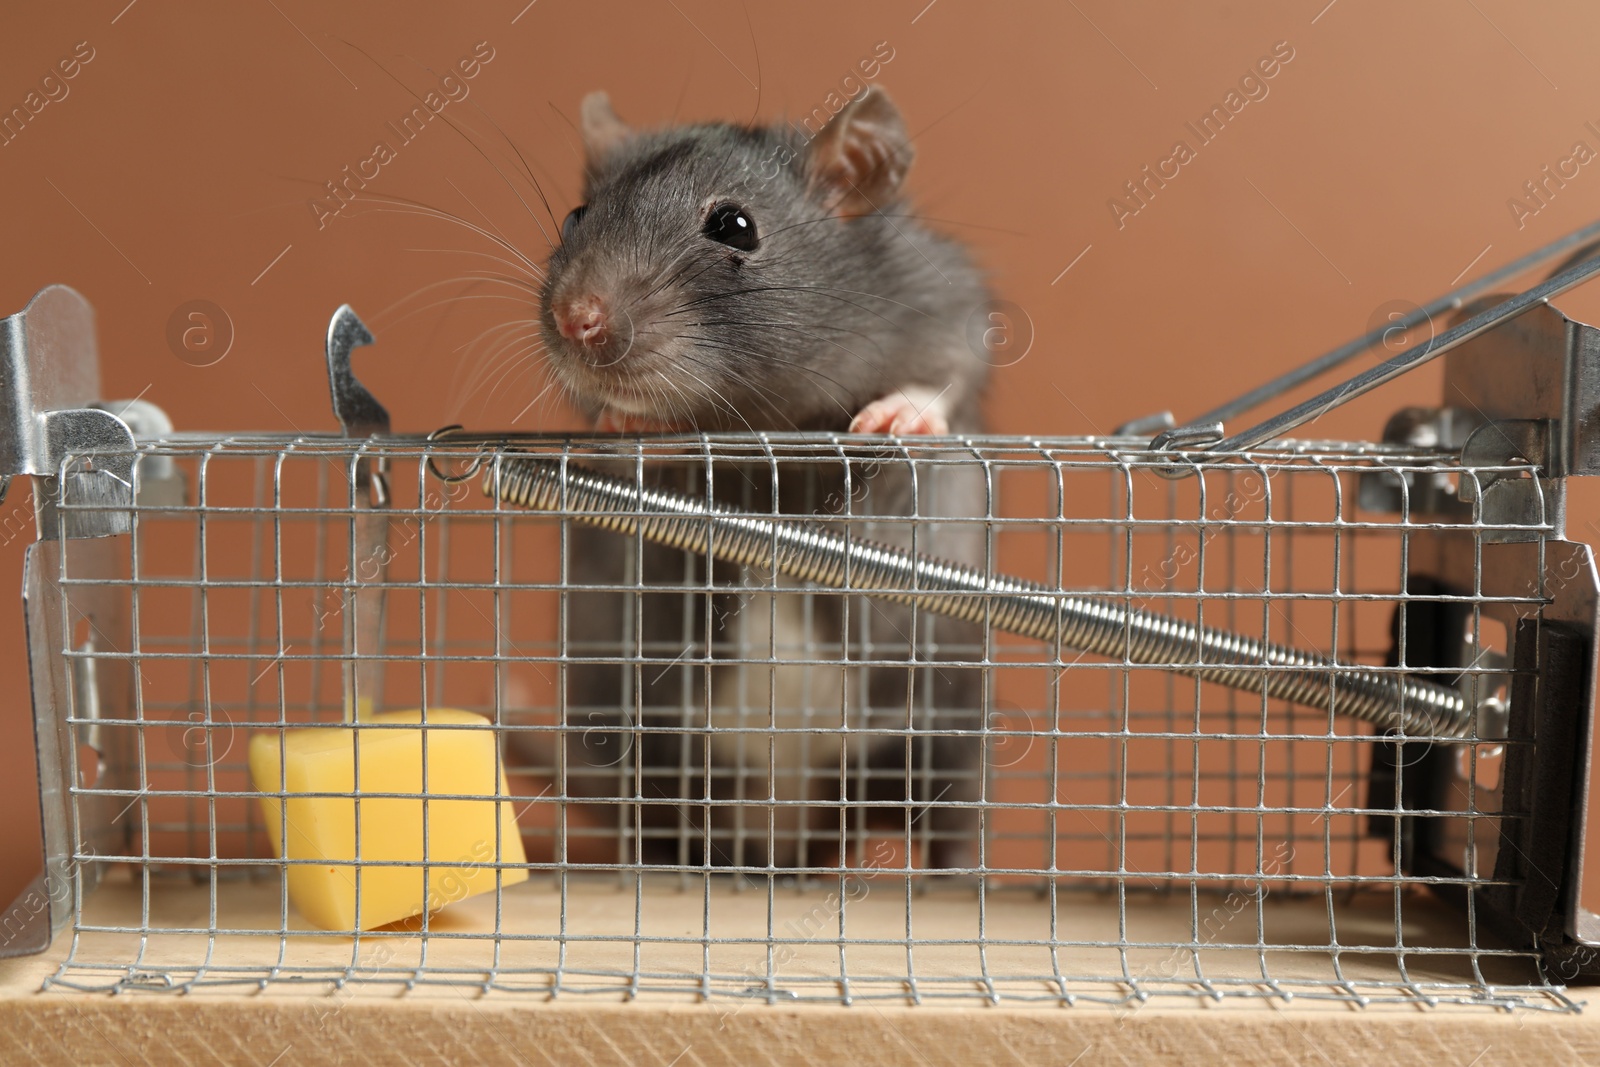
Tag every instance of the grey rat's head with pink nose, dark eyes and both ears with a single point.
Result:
(706, 281)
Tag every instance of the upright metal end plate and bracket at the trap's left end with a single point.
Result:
(52, 431)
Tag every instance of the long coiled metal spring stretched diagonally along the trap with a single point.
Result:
(1094, 625)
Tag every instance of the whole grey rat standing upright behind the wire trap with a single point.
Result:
(764, 279)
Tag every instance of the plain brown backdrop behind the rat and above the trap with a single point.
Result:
(183, 159)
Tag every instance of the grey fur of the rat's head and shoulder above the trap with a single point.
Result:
(825, 318)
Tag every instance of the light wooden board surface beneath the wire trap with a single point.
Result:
(310, 1021)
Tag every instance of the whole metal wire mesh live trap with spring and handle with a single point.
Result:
(822, 717)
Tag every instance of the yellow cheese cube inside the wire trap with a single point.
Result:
(462, 841)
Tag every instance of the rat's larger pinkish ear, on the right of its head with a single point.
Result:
(860, 159)
